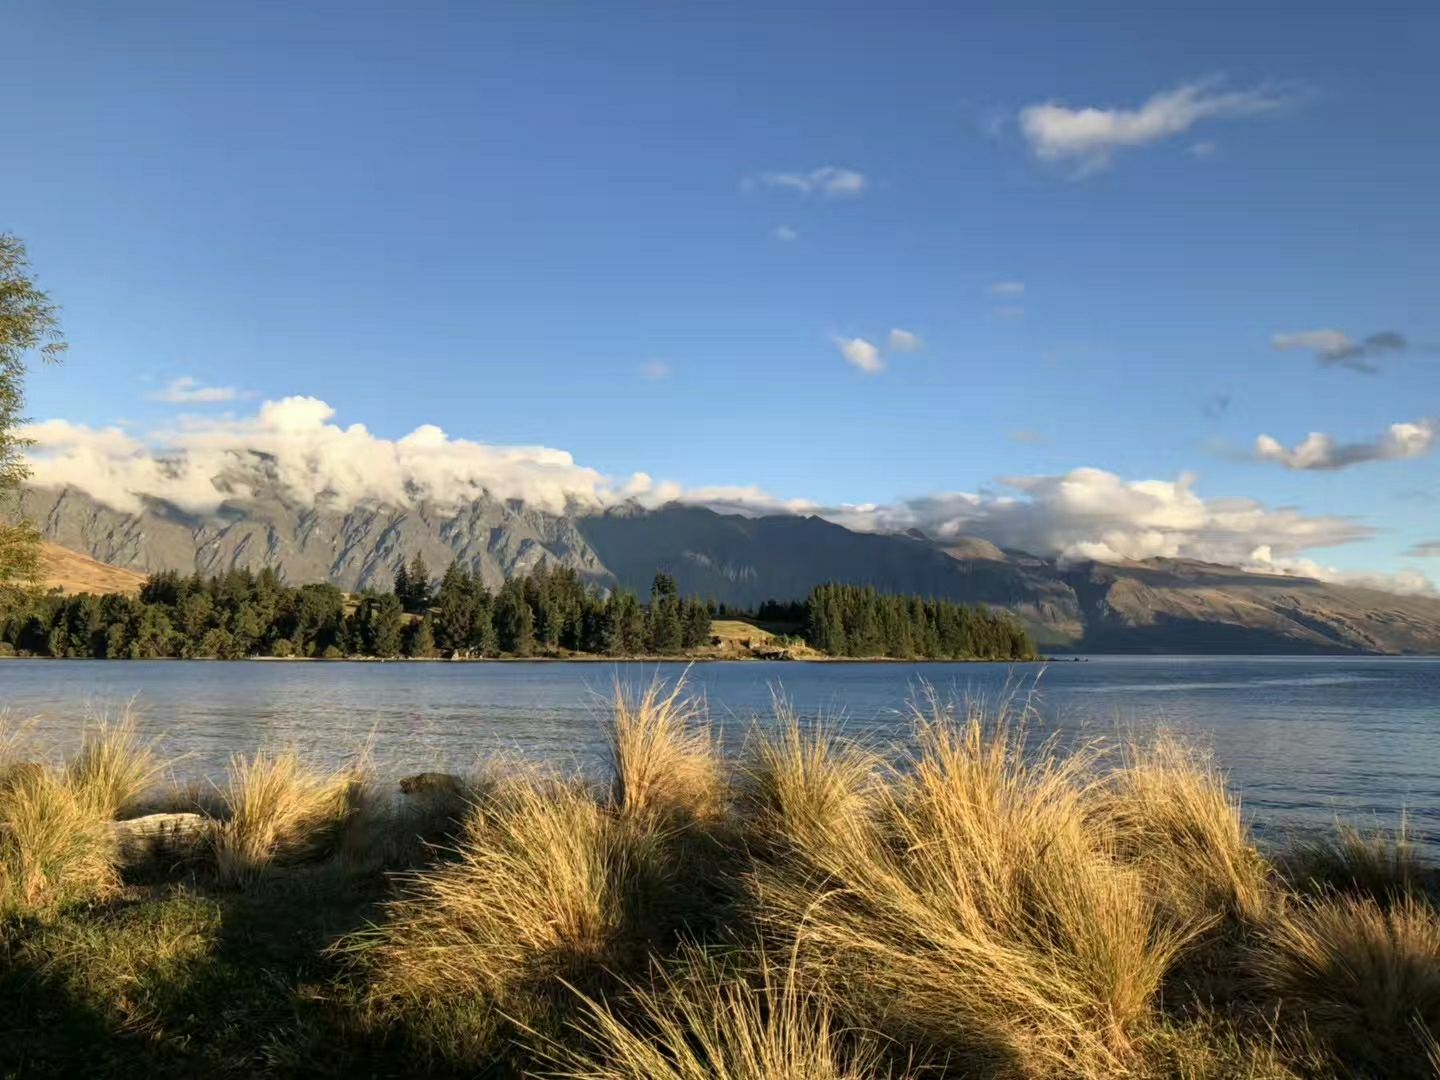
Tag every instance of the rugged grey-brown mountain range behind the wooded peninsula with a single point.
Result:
(1157, 606)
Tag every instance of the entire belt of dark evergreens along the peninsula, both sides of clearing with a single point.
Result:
(549, 613)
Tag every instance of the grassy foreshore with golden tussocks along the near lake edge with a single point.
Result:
(809, 908)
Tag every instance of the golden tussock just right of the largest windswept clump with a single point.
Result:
(1173, 817)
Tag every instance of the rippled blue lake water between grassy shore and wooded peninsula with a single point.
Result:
(1304, 739)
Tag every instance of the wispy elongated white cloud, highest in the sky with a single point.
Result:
(1092, 136)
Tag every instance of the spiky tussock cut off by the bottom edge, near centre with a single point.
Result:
(702, 1020)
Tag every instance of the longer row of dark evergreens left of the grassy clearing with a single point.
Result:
(244, 614)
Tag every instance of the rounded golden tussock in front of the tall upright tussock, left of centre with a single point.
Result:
(545, 889)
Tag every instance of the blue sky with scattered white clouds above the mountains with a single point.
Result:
(1078, 279)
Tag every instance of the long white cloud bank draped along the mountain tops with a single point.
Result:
(296, 450)
